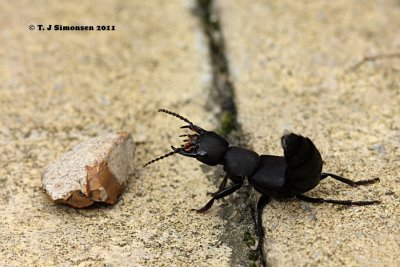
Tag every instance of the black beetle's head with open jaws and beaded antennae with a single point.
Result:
(206, 146)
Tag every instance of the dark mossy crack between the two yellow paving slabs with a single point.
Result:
(238, 211)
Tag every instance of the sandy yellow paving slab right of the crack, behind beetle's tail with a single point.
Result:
(290, 61)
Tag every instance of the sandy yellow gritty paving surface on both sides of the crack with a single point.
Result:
(290, 63)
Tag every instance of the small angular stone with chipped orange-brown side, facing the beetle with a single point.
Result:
(96, 170)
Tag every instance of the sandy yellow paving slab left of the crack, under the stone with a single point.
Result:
(58, 89)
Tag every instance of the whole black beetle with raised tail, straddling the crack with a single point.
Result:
(299, 171)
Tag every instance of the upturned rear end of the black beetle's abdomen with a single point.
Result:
(304, 163)
